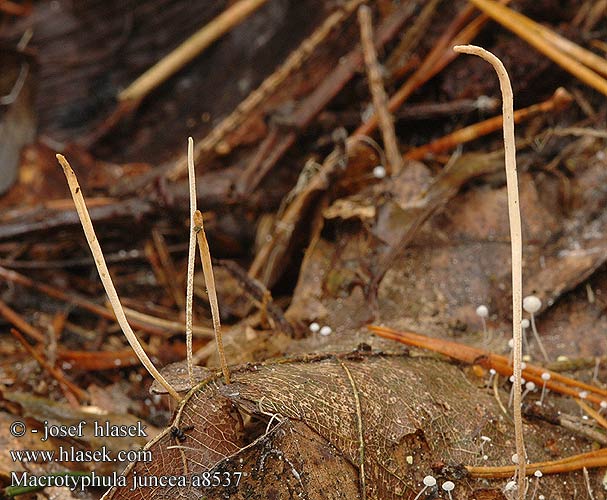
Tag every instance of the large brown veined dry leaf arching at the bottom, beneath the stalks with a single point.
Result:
(357, 425)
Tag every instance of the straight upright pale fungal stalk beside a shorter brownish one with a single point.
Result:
(191, 258)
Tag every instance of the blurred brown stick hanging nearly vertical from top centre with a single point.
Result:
(378, 93)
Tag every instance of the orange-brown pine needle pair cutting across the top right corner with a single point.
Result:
(551, 45)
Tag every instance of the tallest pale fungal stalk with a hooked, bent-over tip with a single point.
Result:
(514, 214)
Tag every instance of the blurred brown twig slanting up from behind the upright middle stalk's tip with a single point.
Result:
(293, 62)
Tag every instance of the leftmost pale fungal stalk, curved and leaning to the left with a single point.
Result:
(106, 279)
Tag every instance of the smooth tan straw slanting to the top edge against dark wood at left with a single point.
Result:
(189, 49)
